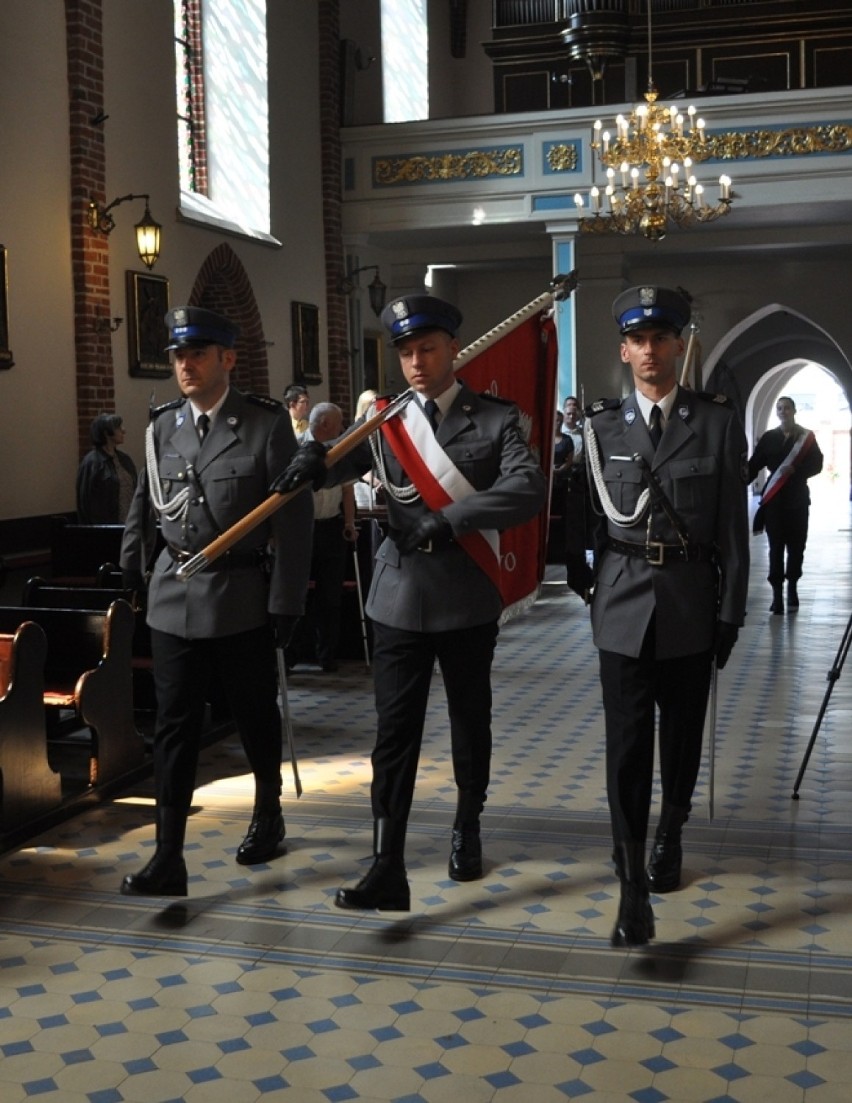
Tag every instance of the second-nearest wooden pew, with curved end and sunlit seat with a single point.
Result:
(89, 670)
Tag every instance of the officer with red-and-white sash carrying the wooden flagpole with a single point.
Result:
(434, 594)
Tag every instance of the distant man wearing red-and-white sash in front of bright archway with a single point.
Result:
(792, 456)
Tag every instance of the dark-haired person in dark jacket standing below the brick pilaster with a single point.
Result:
(106, 477)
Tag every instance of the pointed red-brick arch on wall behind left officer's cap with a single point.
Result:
(223, 285)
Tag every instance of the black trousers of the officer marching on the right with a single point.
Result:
(633, 689)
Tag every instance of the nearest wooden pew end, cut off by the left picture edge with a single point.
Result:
(30, 788)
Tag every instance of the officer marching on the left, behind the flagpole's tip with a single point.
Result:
(210, 459)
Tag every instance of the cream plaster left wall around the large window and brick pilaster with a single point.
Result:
(39, 444)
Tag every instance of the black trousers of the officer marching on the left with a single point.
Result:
(244, 667)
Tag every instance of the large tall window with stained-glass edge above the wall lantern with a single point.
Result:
(223, 116)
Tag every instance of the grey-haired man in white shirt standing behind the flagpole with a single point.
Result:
(334, 534)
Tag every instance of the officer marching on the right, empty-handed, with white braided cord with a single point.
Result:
(668, 467)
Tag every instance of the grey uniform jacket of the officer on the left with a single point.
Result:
(250, 443)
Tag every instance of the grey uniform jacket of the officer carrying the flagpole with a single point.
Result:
(439, 592)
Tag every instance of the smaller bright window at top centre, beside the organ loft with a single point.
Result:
(406, 58)
